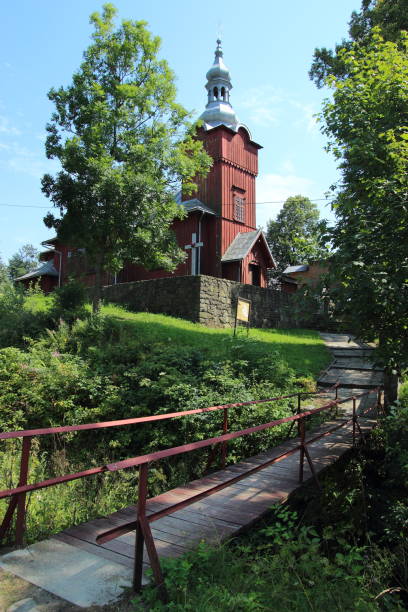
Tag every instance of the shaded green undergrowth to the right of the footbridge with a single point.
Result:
(343, 548)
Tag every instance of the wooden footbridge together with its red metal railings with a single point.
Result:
(214, 507)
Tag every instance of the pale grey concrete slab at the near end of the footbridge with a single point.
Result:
(75, 575)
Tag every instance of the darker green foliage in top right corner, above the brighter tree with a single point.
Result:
(390, 15)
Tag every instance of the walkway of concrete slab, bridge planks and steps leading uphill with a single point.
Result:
(72, 566)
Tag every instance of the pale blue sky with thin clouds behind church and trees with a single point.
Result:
(268, 47)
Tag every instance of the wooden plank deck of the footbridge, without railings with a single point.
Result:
(225, 513)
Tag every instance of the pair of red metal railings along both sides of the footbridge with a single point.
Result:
(142, 521)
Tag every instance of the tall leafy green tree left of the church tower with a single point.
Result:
(125, 146)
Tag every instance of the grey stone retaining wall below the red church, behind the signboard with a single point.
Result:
(202, 299)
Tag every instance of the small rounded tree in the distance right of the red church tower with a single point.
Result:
(296, 236)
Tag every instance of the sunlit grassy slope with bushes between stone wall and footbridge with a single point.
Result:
(119, 365)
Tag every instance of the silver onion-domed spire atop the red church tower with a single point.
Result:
(218, 110)
